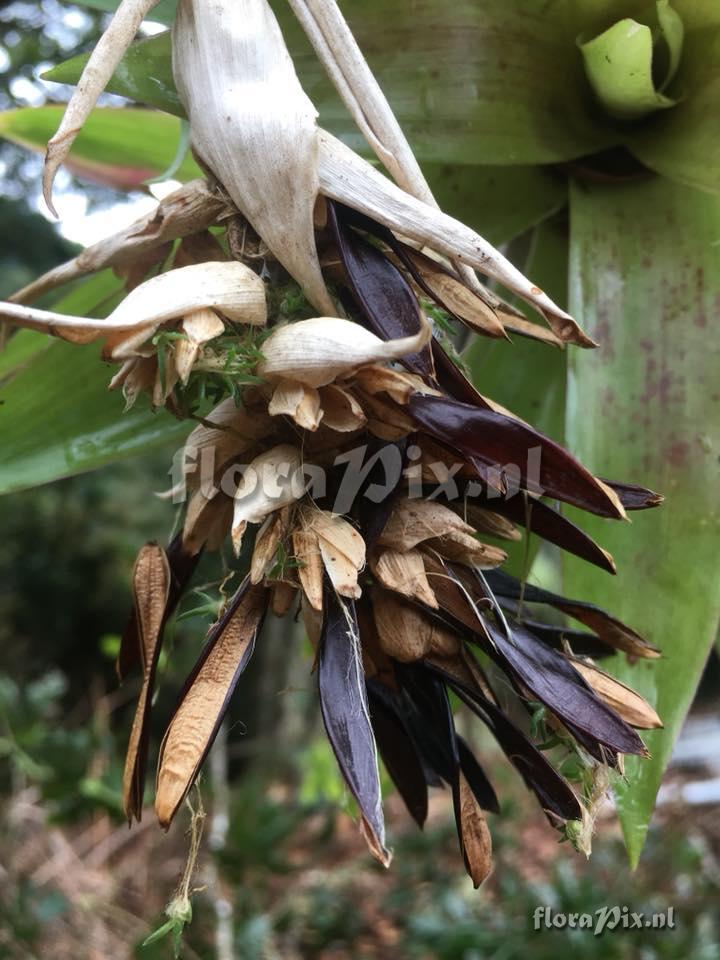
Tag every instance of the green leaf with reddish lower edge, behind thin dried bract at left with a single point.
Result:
(120, 148)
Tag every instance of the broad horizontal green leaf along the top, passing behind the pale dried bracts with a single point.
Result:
(498, 82)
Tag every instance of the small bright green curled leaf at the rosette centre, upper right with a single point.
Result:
(619, 66)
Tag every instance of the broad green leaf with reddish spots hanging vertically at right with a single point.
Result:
(645, 407)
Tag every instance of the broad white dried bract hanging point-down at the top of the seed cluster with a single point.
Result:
(253, 126)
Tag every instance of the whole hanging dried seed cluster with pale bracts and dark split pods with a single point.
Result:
(371, 483)
